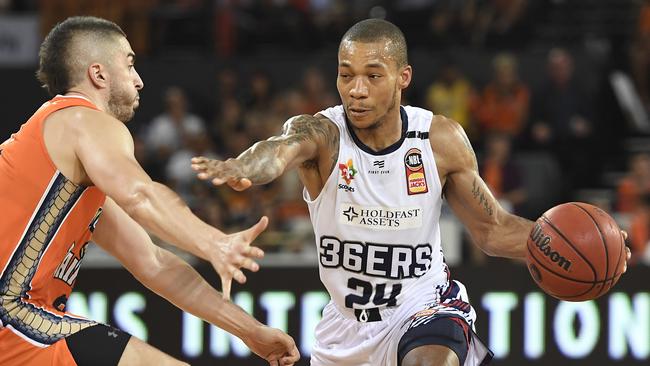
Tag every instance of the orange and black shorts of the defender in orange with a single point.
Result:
(98, 345)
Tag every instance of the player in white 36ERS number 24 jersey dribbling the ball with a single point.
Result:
(375, 174)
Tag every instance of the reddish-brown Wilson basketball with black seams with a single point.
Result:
(575, 252)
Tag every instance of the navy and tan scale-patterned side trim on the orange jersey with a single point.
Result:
(10, 299)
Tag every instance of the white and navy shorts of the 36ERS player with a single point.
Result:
(385, 336)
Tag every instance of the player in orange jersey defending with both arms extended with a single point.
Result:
(70, 174)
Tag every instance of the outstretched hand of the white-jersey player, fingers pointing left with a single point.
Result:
(220, 172)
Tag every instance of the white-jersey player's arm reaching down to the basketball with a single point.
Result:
(494, 230)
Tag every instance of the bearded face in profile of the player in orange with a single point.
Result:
(125, 83)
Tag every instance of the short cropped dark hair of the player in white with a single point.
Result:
(375, 30)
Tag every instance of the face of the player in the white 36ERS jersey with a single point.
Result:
(370, 83)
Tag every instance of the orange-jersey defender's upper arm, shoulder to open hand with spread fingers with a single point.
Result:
(106, 151)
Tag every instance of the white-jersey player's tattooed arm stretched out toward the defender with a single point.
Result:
(304, 139)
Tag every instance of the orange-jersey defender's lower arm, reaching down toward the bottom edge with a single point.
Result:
(175, 280)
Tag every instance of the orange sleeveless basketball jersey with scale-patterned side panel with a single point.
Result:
(46, 223)
